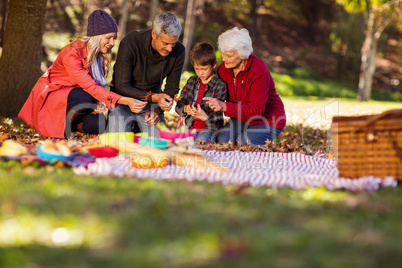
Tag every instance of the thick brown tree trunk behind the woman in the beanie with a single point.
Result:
(21, 56)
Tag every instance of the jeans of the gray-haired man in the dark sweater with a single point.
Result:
(122, 119)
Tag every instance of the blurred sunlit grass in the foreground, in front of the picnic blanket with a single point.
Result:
(49, 214)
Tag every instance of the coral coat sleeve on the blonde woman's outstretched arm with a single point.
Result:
(75, 69)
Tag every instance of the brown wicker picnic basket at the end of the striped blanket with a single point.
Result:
(368, 145)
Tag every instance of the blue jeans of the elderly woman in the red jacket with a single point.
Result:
(235, 130)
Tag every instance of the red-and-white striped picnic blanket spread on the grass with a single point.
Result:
(256, 169)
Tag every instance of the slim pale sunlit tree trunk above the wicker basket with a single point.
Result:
(367, 67)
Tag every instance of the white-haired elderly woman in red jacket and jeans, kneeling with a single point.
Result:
(255, 109)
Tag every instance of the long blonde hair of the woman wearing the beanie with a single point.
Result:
(93, 46)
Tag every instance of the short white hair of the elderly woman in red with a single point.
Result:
(236, 40)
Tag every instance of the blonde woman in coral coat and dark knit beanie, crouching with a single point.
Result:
(65, 97)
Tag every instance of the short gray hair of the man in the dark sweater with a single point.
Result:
(168, 24)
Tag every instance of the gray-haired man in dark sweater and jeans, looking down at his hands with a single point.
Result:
(144, 60)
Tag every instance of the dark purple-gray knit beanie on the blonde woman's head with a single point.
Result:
(100, 22)
